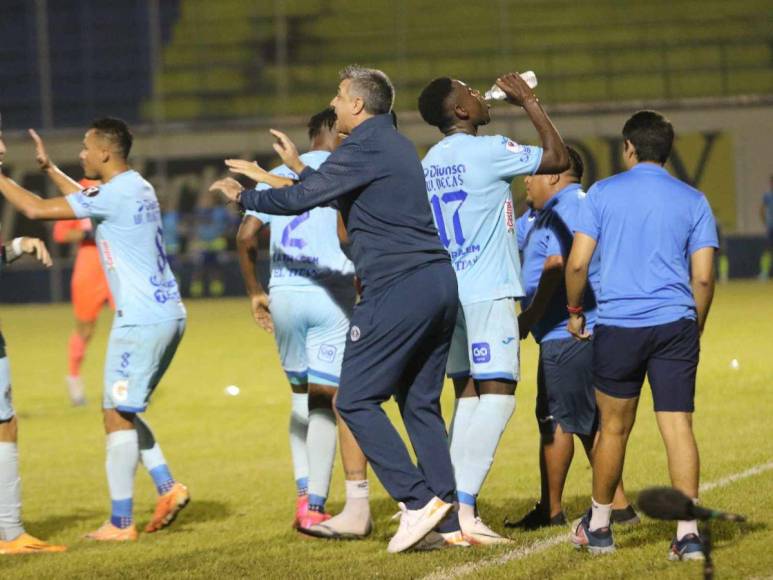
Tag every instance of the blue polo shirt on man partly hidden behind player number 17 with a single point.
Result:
(551, 234)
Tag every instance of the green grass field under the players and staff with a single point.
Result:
(233, 454)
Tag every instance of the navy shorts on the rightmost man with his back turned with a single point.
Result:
(667, 354)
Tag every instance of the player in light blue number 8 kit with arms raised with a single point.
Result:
(149, 315)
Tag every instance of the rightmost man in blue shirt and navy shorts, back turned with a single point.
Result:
(656, 237)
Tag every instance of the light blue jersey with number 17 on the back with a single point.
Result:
(468, 182)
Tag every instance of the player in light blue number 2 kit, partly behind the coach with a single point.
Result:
(311, 296)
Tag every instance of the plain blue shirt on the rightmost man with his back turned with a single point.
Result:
(647, 224)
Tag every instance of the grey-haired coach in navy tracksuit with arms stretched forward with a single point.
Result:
(401, 330)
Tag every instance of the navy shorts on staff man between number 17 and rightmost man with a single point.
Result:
(565, 387)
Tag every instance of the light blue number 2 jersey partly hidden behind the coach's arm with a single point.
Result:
(305, 250)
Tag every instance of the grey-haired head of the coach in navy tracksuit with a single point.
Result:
(362, 93)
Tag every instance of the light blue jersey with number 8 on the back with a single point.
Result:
(130, 238)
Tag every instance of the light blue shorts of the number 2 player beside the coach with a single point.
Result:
(310, 328)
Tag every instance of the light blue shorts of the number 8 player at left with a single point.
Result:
(137, 358)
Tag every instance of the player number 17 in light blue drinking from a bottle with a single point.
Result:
(468, 182)
